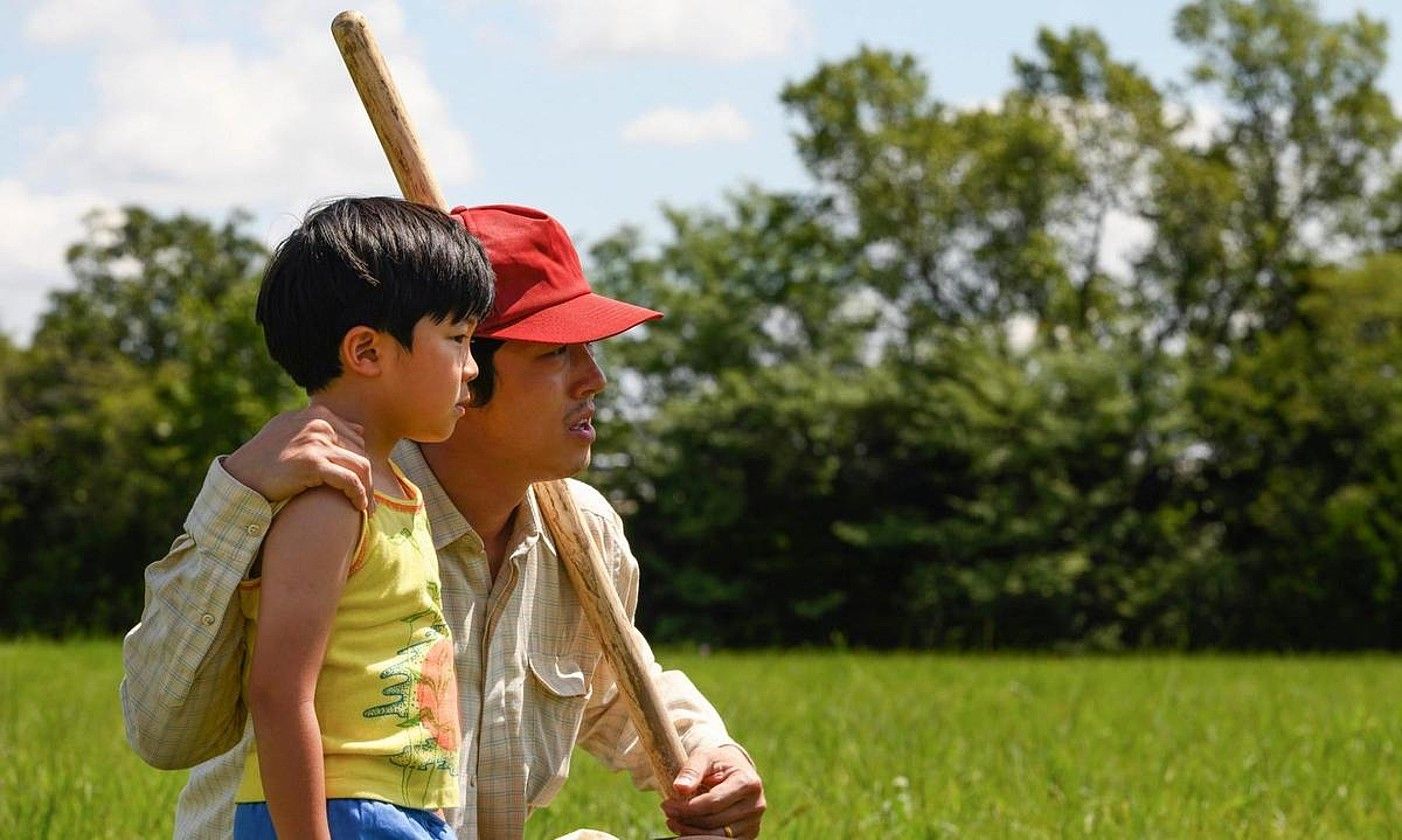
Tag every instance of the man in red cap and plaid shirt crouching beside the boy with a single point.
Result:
(531, 679)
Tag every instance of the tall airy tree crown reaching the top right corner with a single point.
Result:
(1292, 175)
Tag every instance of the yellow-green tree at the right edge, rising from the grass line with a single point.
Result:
(1306, 468)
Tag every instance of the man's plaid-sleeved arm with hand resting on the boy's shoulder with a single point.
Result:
(183, 663)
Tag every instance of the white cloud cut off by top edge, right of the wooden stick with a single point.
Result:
(713, 30)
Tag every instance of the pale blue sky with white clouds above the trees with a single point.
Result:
(594, 110)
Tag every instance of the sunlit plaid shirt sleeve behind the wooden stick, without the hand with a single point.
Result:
(608, 731)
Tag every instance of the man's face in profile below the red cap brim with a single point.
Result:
(539, 423)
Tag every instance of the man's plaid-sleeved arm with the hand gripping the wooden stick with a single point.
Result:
(719, 786)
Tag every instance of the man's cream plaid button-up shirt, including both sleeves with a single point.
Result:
(531, 679)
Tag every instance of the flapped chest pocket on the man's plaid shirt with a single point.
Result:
(557, 692)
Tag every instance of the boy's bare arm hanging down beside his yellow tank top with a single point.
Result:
(304, 573)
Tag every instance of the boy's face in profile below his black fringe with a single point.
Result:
(430, 386)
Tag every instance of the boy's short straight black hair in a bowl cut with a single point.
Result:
(381, 263)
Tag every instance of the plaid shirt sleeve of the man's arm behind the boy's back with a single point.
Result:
(182, 689)
